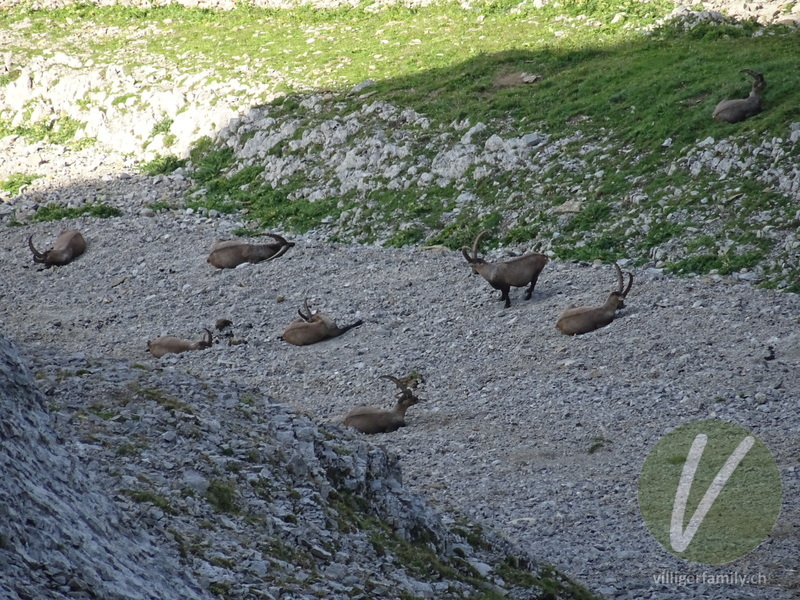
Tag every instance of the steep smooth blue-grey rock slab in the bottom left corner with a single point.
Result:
(60, 535)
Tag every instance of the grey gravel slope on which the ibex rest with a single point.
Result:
(513, 407)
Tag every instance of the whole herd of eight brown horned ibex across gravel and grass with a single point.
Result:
(313, 327)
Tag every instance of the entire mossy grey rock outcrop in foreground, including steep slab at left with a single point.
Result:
(120, 482)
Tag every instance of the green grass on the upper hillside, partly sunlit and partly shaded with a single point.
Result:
(632, 96)
